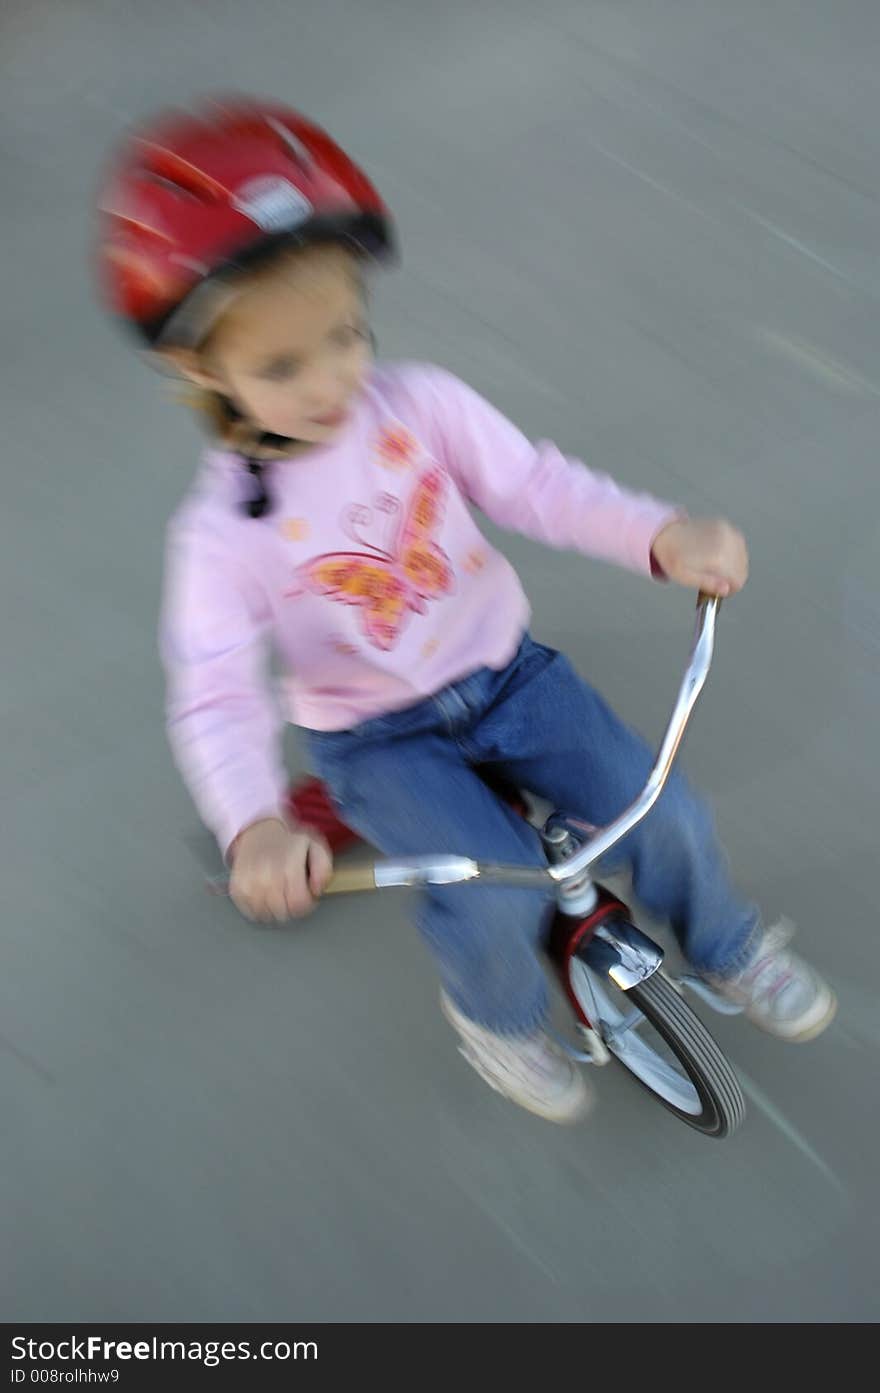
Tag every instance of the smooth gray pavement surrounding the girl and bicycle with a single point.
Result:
(650, 233)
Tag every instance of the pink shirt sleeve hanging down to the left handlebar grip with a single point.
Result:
(223, 724)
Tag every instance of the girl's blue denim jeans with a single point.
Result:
(407, 785)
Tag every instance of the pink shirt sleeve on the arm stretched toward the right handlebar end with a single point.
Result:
(535, 490)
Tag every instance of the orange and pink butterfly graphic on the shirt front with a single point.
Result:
(388, 584)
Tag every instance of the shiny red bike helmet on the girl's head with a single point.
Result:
(194, 199)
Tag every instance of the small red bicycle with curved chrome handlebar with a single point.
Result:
(624, 1005)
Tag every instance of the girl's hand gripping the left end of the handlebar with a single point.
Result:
(278, 871)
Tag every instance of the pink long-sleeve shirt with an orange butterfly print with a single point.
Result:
(370, 577)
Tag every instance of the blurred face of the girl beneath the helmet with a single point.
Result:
(294, 348)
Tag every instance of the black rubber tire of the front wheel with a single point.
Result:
(698, 1054)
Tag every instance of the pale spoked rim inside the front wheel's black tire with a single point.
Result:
(641, 1048)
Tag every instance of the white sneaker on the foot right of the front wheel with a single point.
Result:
(779, 991)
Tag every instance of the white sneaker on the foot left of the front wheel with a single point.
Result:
(531, 1071)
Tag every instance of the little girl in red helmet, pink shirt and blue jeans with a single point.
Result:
(331, 519)
